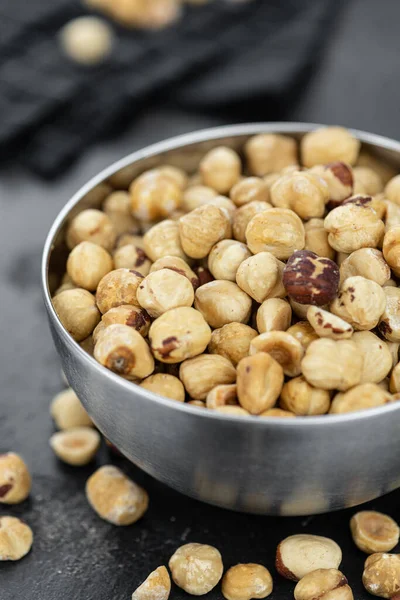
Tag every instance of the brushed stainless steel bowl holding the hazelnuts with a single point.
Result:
(268, 466)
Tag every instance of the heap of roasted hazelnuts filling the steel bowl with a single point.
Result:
(253, 287)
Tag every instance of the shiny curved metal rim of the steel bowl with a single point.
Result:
(174, 143)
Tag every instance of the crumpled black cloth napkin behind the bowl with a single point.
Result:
(248, 58)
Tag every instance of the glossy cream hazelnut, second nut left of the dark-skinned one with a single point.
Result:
(226, 257)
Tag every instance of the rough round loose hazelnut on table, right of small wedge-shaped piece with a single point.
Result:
(196, 568)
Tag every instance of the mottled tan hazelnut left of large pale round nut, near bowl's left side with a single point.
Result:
(117, 288)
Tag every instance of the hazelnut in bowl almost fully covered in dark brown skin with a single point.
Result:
(311, 279)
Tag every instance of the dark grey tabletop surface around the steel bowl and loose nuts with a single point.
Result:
(76, 555)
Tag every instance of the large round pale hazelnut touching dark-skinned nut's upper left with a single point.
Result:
(276, 230)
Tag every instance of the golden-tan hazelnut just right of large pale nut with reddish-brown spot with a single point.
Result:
(232, 341)
